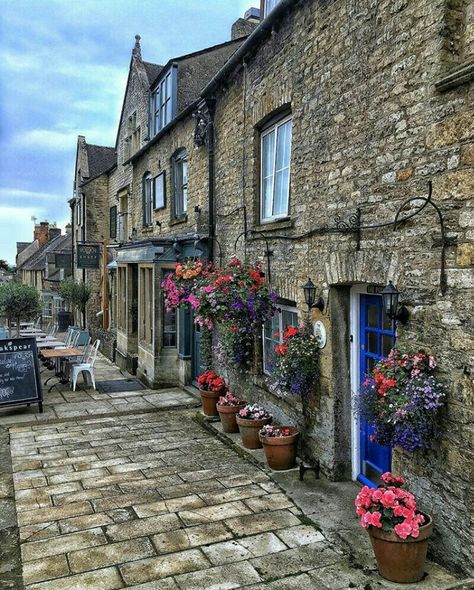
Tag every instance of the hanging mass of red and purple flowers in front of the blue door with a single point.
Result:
(400, 398)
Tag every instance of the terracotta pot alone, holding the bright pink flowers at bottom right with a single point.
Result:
(401, 560)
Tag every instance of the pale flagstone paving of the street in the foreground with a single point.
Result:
(129, 490)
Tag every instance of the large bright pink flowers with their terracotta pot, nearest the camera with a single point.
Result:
(398, 531)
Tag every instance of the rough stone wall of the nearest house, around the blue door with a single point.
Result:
(370, 129)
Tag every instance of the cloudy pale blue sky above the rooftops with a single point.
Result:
(63, 70)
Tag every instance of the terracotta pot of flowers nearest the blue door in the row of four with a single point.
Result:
(280, 444)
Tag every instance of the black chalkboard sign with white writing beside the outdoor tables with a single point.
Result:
(19, 373)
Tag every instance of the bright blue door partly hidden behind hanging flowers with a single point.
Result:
(377, 337)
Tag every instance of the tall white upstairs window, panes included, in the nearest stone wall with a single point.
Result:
(275, 170)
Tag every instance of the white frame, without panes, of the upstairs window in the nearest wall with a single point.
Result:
(273, 124)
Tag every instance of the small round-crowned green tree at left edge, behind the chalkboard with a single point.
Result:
(18, 303)
